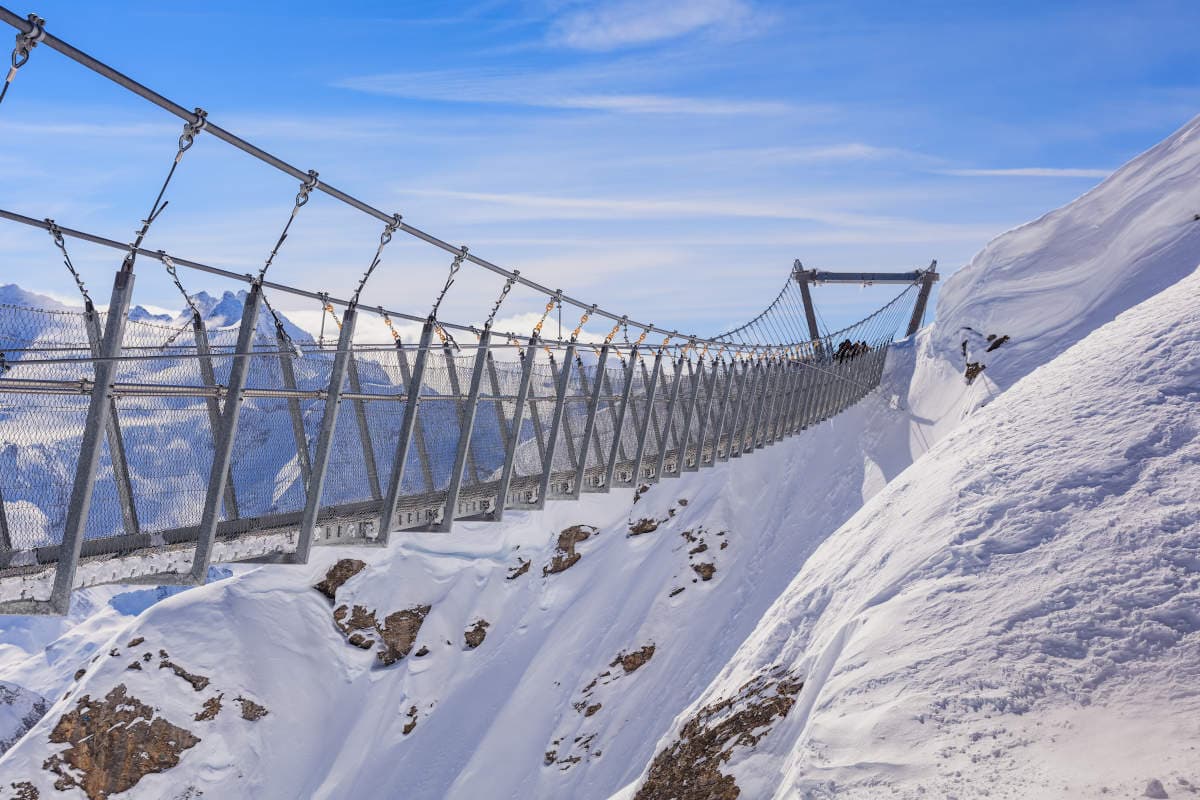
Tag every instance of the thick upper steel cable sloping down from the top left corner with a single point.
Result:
(119, 79)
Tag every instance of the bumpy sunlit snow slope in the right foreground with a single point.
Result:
(1018, 616)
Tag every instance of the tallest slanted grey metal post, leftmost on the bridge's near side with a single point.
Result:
(100, 407)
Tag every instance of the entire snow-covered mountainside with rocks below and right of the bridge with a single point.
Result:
(1012, 612)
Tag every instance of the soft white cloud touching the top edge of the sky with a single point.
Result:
(613, 26)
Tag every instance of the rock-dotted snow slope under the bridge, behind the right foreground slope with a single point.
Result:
(513, 718)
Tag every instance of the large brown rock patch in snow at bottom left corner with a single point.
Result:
(115, 743)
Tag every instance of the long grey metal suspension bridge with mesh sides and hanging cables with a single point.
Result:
(136, 452)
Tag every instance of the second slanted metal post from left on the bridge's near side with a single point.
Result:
(223, 449)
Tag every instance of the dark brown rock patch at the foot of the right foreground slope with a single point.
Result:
(689, 768)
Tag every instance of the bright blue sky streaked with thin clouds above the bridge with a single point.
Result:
(669, 160)
